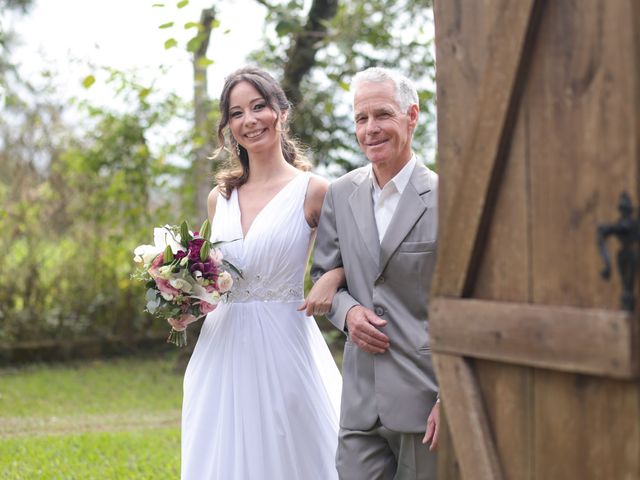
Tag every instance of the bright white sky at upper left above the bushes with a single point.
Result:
(62, 35)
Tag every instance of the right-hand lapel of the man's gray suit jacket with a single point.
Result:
(411, 207)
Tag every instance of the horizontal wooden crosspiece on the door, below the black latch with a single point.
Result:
(598, 342)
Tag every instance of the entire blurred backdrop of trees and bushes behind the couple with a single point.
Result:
(82, 183)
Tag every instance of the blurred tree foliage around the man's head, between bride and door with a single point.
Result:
(351, 37)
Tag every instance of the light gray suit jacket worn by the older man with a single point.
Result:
(392, 278)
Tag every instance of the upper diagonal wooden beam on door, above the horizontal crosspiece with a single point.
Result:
(483, 156)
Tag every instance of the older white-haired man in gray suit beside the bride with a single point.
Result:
(379, 222)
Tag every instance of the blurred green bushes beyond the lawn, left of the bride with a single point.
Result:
(75, 204)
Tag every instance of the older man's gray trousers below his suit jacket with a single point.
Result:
(382, 454)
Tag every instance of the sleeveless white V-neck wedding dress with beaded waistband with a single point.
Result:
(261, 391)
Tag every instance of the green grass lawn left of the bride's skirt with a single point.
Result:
(116, 419)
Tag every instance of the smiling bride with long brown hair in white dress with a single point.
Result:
(261, 391)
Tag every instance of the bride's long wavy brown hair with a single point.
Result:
(236, 173)
